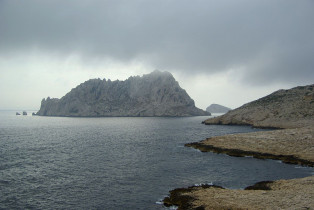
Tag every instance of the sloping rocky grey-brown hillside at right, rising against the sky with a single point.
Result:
(282, 109)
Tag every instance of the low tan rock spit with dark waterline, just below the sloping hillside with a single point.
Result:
(294, 146)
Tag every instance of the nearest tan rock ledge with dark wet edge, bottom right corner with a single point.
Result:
(280, 194)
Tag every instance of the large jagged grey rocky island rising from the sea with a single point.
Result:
(154, 94)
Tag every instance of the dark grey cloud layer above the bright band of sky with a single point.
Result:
(268, 41)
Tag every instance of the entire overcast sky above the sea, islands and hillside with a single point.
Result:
(220, 51)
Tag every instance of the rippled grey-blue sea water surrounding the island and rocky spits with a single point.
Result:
(116, 163)
